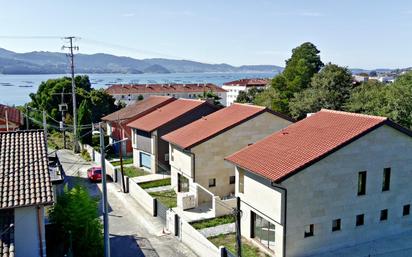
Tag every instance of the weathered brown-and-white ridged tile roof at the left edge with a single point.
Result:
(24, 171)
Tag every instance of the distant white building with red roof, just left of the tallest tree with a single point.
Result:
(234, 87)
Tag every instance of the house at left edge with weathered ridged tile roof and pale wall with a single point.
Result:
(26, 188)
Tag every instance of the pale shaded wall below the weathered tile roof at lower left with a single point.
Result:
(26, 232)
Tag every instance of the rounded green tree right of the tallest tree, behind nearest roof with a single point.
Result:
(330, 88)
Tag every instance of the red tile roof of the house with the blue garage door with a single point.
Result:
(165, 114)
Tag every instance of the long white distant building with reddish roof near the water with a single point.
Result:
(129, 93)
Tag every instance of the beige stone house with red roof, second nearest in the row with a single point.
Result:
(197, 150)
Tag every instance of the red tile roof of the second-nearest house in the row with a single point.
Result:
(213, 124)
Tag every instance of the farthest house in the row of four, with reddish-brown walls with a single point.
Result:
(116, 122)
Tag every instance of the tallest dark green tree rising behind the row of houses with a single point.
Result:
(303, 64)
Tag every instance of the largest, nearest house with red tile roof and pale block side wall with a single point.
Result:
(331, 180)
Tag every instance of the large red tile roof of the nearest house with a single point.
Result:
(301, 144)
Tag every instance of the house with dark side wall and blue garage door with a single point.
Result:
(150, 151)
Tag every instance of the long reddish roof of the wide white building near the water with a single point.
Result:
(125, 89)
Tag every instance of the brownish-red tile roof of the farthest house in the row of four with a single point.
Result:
(138, 108)
